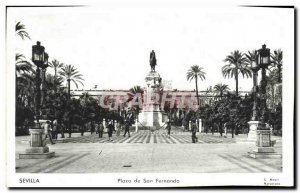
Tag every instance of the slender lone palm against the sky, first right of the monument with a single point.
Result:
(196, 72)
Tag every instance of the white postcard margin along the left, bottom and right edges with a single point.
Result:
(88, 180)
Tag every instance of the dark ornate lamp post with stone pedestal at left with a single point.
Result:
(38, 148)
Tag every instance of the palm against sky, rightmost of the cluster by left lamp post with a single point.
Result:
(70, 73)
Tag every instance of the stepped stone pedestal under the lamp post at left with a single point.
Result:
(38, 148)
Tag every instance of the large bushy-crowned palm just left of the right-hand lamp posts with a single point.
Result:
(236, 64)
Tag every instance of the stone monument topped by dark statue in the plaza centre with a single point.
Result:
(151, 115)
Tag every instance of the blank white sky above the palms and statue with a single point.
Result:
(110, 46)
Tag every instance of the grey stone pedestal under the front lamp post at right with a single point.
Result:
(264, 146)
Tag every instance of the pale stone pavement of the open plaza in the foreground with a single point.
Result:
(212, 155)
